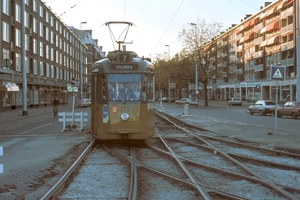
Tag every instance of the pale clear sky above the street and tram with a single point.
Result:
(157, 23)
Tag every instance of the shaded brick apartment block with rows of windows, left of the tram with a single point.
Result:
(54, 55)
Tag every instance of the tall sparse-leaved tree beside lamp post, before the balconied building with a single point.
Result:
(198, 41)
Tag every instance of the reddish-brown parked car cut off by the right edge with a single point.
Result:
(290, 108)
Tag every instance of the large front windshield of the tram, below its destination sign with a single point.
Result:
(124, 87)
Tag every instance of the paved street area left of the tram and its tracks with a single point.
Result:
(32, 154)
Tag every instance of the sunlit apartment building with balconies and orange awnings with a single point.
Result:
(249, 50)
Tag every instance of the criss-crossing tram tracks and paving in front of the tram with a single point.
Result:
(185, 163)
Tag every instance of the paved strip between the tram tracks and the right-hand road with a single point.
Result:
(246, 132)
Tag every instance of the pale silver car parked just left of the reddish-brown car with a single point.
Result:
(263, 107)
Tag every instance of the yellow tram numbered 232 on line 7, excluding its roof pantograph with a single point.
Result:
(123, 100)
